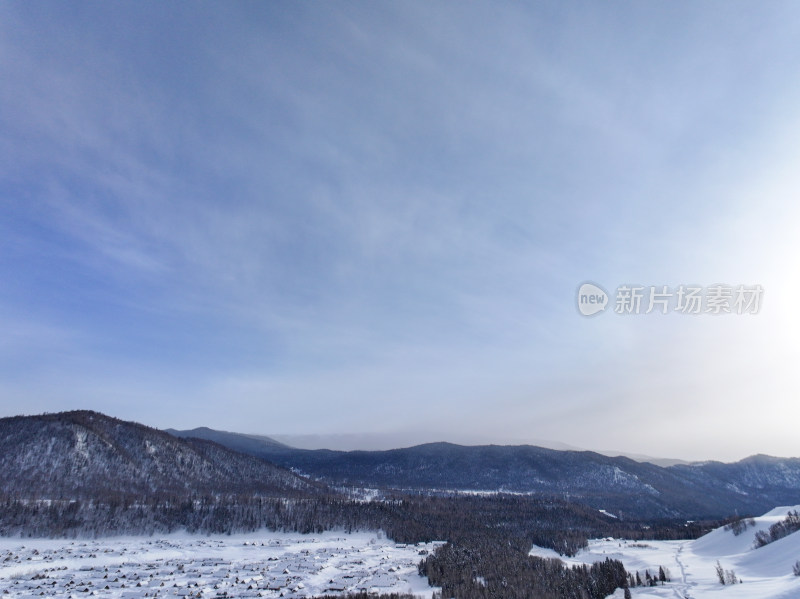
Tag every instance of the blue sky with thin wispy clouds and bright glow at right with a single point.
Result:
(371, 219)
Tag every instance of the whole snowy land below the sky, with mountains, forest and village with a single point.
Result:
(95, 506)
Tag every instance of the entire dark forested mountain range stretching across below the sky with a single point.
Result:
(87, 455)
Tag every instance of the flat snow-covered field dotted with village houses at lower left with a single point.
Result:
(263, 564)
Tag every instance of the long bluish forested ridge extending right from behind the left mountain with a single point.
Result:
(618, 484)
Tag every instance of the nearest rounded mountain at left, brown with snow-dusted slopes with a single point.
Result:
(88, 455)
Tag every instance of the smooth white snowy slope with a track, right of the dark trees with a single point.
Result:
(766, 573)
